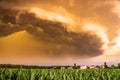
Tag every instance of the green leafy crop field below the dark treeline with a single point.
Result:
(59, 74)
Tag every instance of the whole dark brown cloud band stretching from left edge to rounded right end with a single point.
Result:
(55, 36)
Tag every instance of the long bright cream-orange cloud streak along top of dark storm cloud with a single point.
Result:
(50, 16)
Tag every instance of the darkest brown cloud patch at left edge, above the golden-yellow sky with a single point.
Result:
(8, 22)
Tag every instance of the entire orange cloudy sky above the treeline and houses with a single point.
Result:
(64, 32)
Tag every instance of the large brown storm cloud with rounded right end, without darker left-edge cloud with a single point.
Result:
(58, 39)
